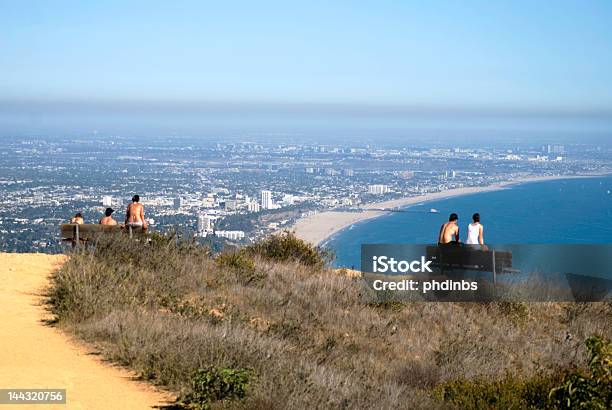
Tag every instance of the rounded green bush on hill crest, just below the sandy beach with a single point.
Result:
(287, 247)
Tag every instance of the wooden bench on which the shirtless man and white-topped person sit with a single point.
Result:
(449, 257)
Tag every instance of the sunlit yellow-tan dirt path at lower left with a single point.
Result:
(33, 355)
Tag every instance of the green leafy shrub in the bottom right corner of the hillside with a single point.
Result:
(591, 391)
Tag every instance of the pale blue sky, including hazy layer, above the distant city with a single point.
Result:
(88, 63)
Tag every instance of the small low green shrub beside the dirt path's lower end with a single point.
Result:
(213, 384)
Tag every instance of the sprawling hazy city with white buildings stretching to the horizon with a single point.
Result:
(239, 191)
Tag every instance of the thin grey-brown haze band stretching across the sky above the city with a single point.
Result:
(201, 106)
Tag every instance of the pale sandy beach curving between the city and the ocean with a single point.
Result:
(319, 227)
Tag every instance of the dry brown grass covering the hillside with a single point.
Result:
(167, 310)
